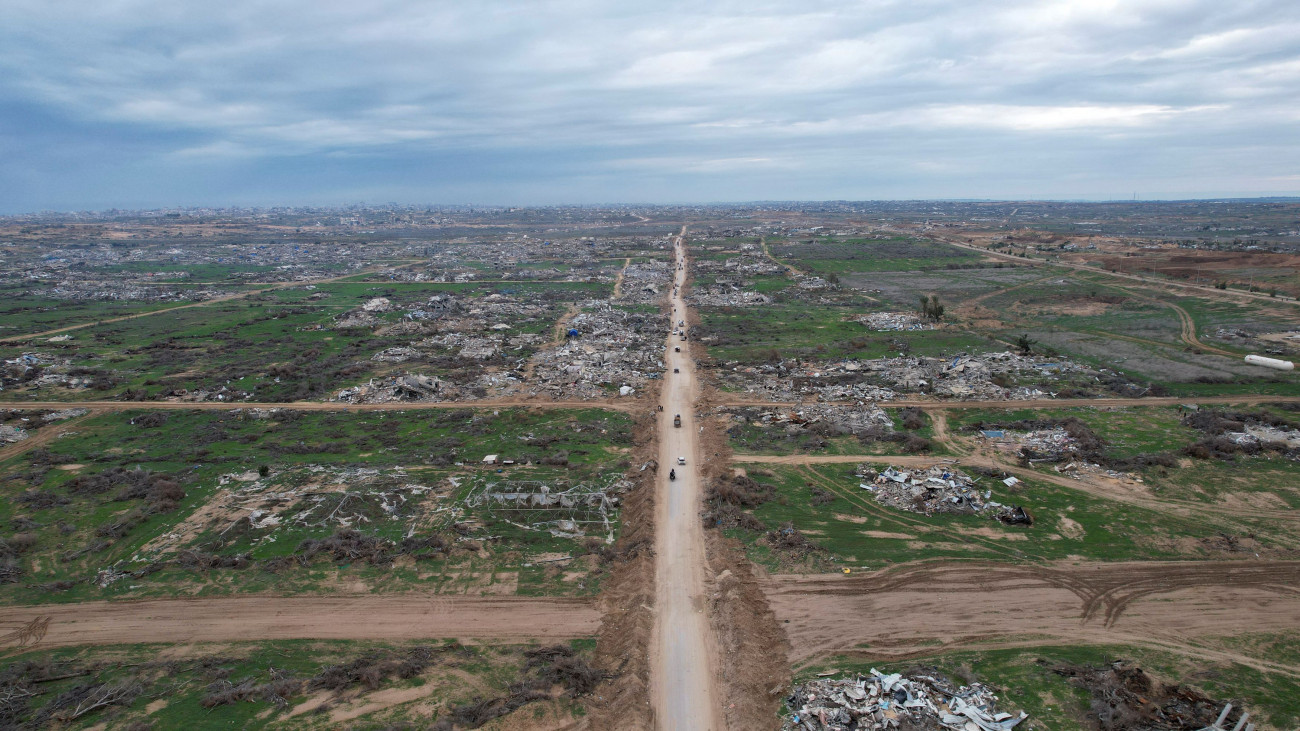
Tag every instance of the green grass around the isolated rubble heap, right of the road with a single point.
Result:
(856, 530)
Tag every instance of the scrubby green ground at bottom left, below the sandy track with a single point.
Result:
(276, 685)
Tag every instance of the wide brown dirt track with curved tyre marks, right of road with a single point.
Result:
(931, 608)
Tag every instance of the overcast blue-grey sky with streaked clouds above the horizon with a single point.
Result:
(141, 103)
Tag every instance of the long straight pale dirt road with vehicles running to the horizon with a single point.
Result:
(684, 655)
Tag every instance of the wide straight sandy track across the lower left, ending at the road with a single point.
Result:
(362, 617)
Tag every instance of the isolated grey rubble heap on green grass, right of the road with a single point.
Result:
(943, 490)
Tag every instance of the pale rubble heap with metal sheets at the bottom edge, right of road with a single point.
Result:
(881, 702)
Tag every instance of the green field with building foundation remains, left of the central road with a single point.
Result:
(122, 483)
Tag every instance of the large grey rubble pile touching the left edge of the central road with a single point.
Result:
(606, 351)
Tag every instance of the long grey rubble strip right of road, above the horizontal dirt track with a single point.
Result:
(960, 378)
